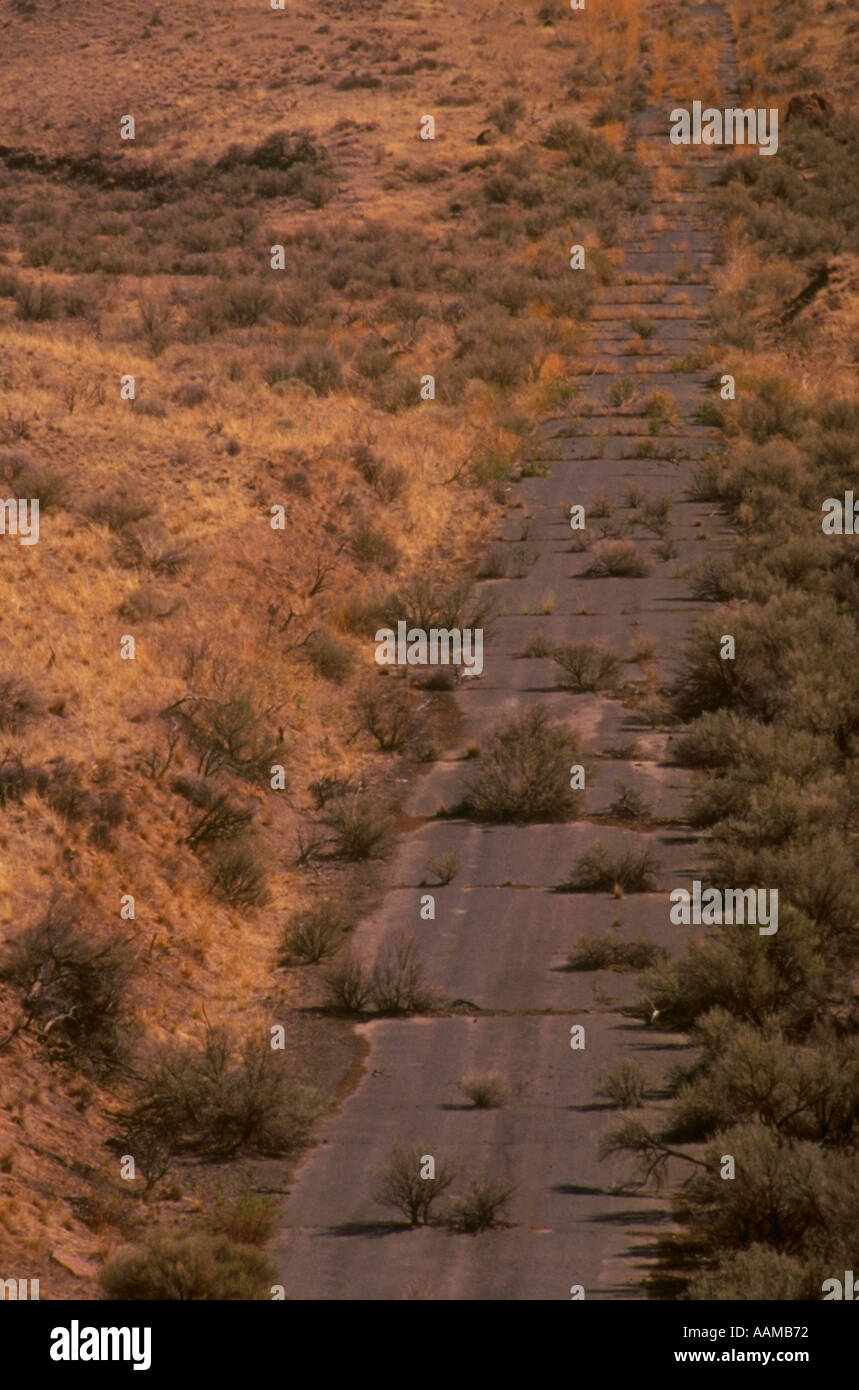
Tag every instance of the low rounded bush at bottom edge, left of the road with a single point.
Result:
(191, 1268)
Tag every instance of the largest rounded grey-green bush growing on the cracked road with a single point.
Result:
(525, 772)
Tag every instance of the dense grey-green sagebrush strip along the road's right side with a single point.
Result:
(775, 735)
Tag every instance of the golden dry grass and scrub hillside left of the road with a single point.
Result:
(254, 389)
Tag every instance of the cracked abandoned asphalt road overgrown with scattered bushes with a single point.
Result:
(502, 935)
